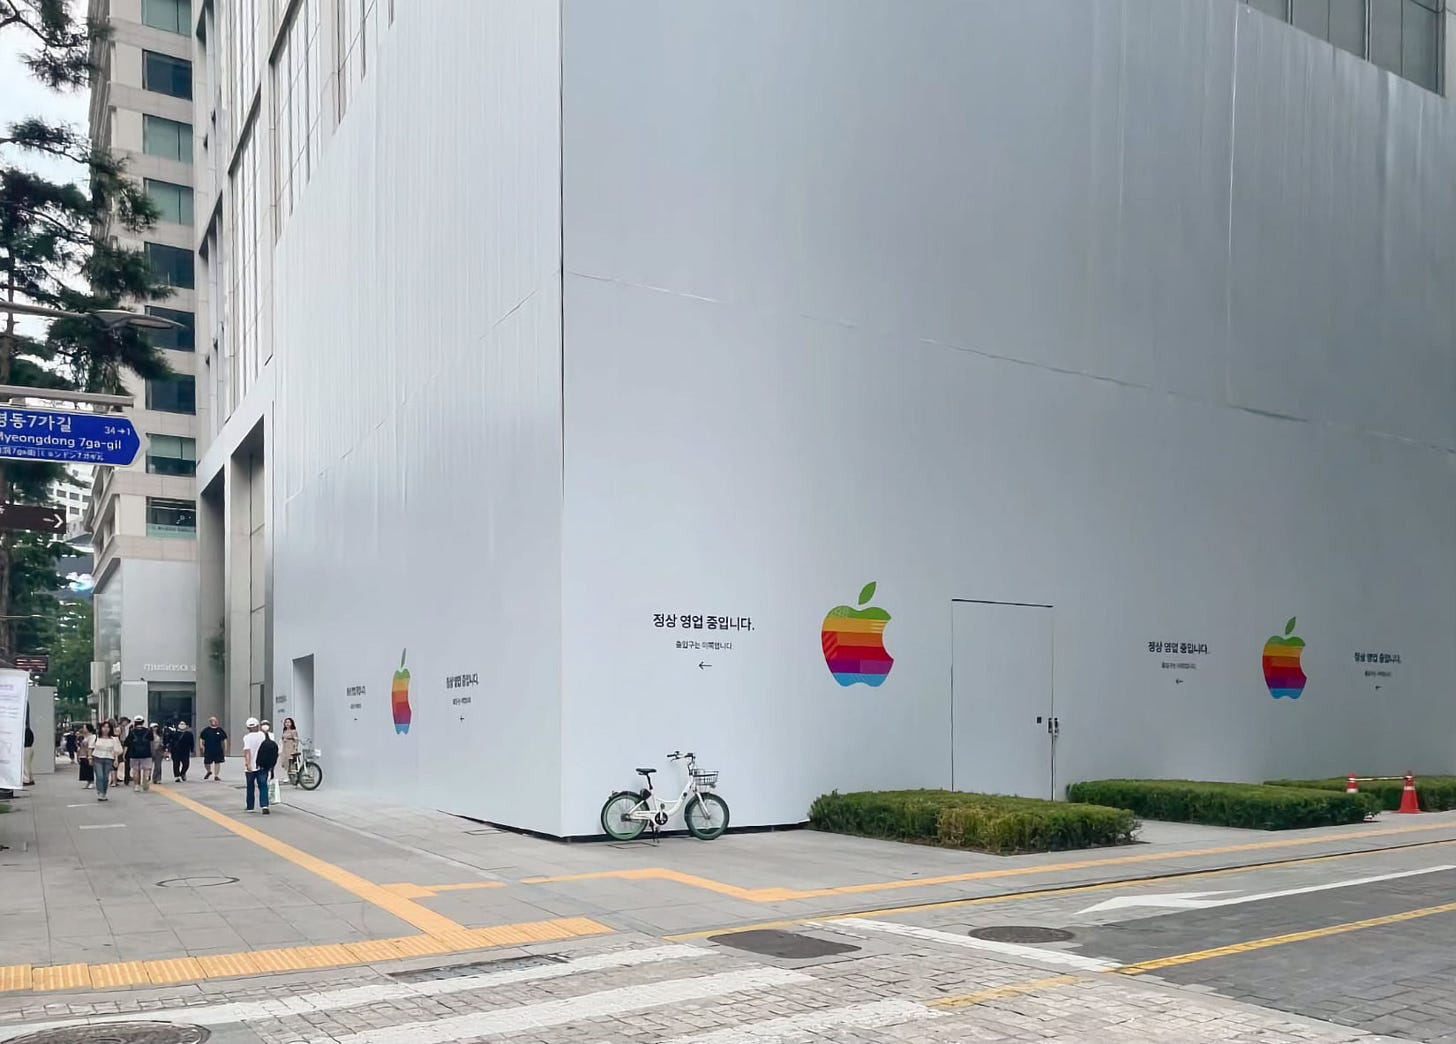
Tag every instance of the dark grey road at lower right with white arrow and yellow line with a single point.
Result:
(1371, 954)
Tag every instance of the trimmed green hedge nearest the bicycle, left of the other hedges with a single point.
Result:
(988, 823)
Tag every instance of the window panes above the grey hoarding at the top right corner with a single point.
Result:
(1403, 37)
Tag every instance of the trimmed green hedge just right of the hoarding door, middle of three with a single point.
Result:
(1256, 806)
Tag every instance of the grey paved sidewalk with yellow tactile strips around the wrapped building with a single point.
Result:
(184, 873)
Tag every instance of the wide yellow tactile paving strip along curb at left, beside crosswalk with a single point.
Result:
(17, 978)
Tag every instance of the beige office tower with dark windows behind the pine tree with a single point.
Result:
(143, 518)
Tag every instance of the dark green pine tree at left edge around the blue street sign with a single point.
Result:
(55, 253)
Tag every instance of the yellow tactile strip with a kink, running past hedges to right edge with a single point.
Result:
(788, 895)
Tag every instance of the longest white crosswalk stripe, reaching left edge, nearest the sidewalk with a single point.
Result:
(359, 997)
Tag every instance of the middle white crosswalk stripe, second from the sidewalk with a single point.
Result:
(576, 1010)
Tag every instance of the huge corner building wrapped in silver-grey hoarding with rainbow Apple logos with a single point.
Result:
(882, 395)
